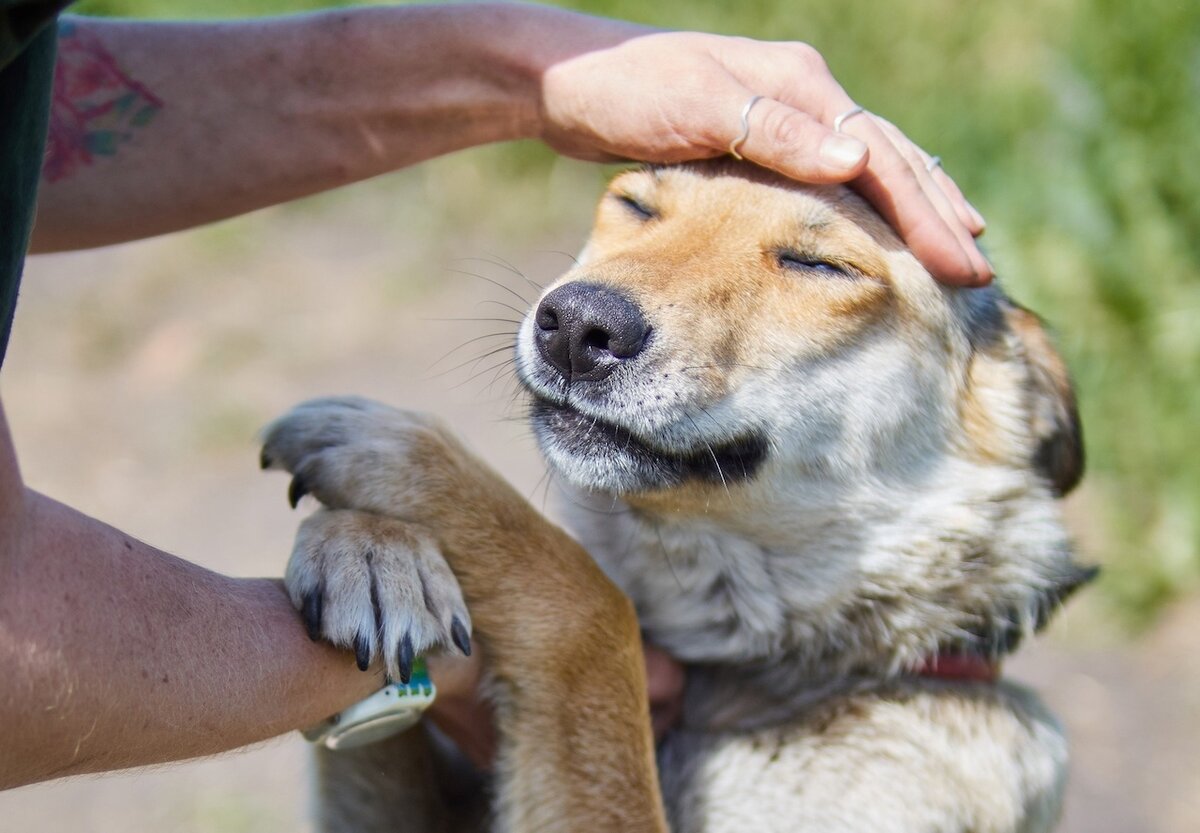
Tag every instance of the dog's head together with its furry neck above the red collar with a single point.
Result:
(767, 362)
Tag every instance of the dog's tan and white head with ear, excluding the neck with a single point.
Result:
(724, 325)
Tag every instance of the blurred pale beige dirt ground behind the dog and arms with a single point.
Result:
(139, 377)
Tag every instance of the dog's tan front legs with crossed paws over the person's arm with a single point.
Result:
(571, 705)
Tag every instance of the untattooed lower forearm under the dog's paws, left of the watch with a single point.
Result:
(117, 655)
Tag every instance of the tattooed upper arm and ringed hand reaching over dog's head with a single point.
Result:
(247, 115)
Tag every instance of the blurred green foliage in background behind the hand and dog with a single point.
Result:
(1075, 125)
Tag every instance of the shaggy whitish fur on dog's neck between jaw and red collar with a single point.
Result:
(867, 579)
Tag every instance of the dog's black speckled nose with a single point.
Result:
(586, 331)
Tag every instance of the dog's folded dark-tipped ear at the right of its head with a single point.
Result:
(1051, 398)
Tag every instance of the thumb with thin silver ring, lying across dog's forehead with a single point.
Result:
(800, 147)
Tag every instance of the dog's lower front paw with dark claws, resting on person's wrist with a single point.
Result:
(376, 586)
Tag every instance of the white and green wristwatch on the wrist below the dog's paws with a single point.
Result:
(389, 711)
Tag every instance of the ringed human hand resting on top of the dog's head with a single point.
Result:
(675, 97)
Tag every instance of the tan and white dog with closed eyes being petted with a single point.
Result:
(830, 487)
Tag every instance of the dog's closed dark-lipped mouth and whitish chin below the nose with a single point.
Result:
(601, 456)
